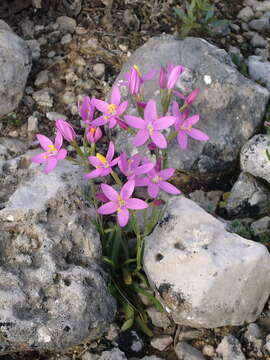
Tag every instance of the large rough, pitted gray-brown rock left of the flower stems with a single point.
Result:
(53, 293)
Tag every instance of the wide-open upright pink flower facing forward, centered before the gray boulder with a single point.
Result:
(150, 126)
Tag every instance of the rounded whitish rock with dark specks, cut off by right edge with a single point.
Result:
(253, 158)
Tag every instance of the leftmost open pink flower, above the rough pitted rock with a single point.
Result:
(53, 152)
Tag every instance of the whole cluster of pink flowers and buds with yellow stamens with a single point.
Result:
(149, 128)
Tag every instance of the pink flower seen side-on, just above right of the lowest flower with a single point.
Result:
(156, 180)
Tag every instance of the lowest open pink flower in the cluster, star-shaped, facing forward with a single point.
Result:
(121, 202)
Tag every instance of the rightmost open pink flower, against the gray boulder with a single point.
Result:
(184, 127)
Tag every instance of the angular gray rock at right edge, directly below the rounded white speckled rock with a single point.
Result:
(249, 197)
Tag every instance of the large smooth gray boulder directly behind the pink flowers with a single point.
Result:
(230, 105)
